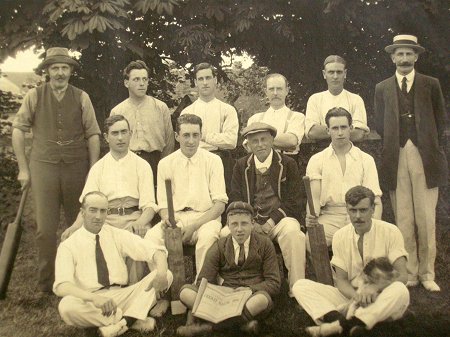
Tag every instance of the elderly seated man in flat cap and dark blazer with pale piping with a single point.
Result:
(270, 182)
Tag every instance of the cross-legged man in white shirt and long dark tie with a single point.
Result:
(92, 277)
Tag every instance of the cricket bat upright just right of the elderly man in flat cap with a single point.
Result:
(318, 244)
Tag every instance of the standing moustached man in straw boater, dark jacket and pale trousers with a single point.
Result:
(410, 116)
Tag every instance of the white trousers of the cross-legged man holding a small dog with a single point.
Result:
(319, 299)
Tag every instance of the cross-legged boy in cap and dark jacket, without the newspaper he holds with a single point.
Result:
(244, 260)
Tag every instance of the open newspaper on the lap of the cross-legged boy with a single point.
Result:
(217, 303)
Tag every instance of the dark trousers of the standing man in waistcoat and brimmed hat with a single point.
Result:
(54, 185)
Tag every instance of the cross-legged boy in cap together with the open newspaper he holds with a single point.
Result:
(248, 265)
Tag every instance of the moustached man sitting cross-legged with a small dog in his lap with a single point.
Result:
(355, 246)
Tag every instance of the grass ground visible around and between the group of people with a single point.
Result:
(24, 314)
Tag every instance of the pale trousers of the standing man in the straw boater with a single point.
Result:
(414, 206)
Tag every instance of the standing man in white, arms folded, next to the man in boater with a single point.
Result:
(334, 72)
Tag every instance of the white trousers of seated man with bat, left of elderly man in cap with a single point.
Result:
(203, 238)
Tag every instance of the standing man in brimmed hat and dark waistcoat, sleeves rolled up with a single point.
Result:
(65, 144)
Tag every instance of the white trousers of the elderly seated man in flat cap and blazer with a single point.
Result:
(292, 245)
